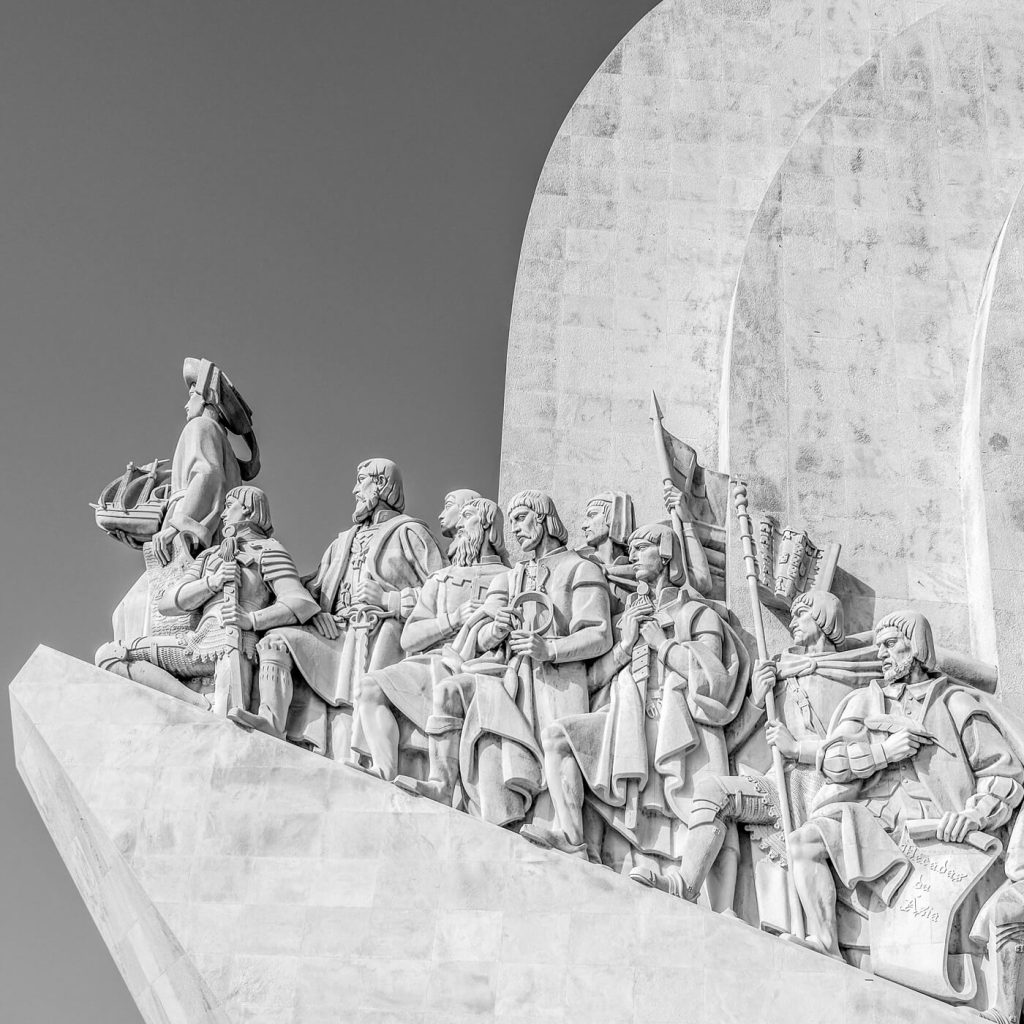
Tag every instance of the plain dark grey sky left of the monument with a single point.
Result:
(326, 198)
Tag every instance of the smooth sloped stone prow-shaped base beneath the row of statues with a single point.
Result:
(237, 879)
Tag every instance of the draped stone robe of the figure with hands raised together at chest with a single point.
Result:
(660, 723)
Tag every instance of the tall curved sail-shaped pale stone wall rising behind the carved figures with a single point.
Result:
(781, 217)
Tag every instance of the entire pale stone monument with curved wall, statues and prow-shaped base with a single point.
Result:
(764, 750)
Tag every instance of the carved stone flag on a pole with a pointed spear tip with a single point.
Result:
(706, 493)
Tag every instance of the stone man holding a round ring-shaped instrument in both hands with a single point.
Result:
(547, 617)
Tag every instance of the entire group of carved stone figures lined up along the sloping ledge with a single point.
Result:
(859, 795)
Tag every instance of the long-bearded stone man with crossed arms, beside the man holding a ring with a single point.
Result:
(440, 628)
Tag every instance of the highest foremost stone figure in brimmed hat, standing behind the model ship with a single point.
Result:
(205, 468)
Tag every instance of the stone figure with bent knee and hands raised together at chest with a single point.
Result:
(675, 678)
